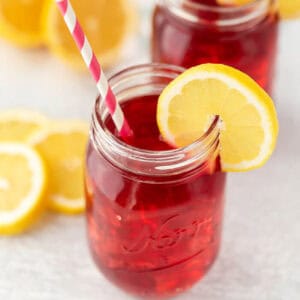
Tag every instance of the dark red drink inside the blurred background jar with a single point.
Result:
(250, 47)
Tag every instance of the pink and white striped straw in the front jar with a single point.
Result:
(92, 63)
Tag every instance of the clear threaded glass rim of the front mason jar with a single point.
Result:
(103, 138)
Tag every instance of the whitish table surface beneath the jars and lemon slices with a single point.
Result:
(260, 257)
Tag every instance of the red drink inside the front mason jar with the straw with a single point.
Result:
(151, 236)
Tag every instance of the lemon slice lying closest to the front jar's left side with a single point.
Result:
(62, 145)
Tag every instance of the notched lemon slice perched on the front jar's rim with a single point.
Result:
(249, 124)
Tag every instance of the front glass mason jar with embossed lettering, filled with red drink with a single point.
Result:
(154, 213)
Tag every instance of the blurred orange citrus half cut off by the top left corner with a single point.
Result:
(20, 22)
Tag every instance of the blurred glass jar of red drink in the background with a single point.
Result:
(192, 32)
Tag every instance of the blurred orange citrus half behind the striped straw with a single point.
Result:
(106, 24)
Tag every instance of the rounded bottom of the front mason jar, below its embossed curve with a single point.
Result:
(162, 283)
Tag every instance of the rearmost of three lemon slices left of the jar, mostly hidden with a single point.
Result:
(19, 125)
